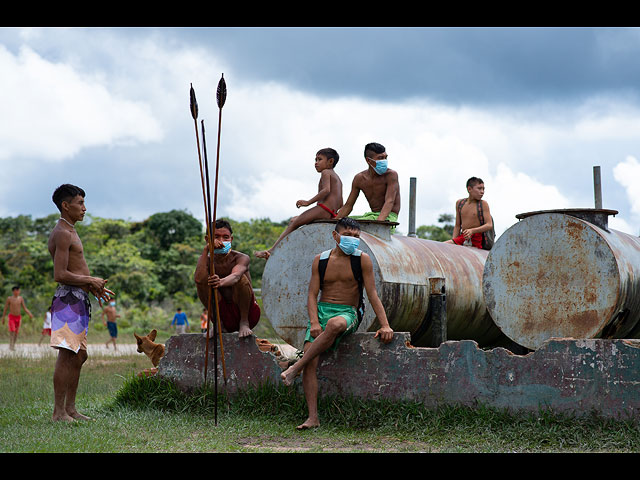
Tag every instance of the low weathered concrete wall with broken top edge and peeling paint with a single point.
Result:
(565, 375)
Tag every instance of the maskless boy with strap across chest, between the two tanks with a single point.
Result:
(473, 217)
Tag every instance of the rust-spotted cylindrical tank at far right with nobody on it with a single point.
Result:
(564, 273)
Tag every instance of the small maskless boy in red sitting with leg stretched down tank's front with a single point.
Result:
(329, 197)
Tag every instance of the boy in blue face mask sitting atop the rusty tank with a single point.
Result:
(380, 187)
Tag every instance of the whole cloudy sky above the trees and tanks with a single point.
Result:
(529, 110)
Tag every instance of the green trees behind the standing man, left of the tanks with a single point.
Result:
(146, 263)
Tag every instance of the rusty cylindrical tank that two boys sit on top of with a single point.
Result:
(402, 267)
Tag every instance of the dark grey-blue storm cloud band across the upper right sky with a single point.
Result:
(453, 65)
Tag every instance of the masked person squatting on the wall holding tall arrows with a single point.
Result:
(239, 311)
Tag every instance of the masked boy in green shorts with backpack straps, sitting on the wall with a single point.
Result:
(335, 314)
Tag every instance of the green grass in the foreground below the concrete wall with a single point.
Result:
(151, 415)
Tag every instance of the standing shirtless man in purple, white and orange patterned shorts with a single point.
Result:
(70, 307)
